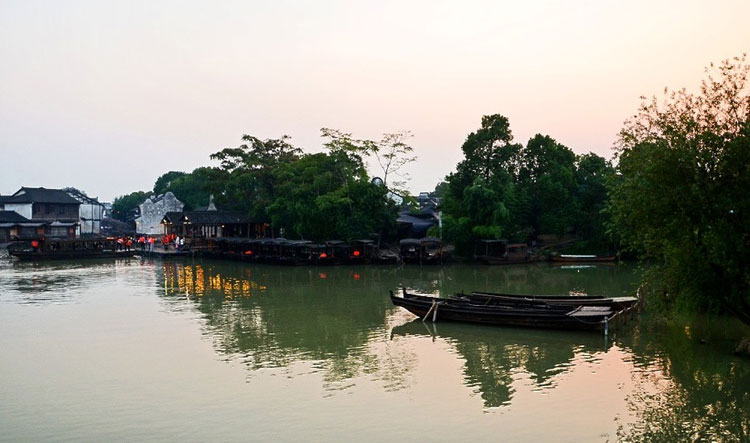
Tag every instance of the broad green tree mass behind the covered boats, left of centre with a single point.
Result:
(312, 196)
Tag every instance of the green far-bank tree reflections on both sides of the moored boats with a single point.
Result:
(339, 318)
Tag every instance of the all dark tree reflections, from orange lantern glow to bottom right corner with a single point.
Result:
(340, 323)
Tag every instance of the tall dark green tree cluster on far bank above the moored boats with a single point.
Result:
(503, 189)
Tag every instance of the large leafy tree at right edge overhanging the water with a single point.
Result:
(681, 195)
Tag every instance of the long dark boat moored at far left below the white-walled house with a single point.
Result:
(68, 249)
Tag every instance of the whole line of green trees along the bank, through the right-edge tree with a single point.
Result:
(675, 192)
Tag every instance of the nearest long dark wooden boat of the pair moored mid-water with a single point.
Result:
(542, 315)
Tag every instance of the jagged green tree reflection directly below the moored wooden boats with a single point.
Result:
(493, 354)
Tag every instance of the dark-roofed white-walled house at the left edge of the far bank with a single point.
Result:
(54, 209)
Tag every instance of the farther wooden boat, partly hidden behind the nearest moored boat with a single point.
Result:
(568, 300)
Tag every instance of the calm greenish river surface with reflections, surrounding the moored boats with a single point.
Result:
(215, 351)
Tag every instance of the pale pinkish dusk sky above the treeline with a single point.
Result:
(107, 96)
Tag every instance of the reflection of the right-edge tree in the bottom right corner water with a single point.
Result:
(685, 390)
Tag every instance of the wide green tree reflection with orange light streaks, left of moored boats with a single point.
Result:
(271, 317)
